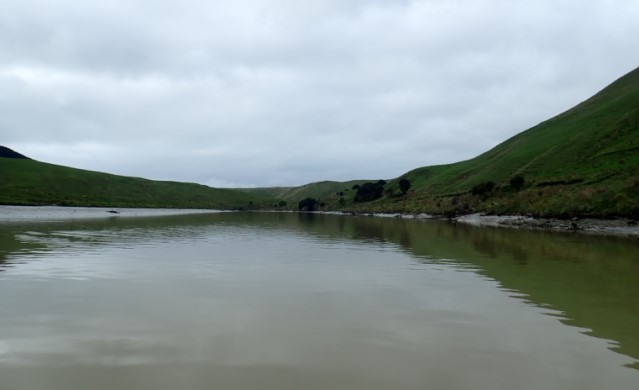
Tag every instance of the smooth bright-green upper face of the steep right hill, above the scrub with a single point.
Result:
(596, 140)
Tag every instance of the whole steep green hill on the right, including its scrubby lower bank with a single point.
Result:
(583, 162)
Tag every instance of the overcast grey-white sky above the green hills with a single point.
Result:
(284, 92)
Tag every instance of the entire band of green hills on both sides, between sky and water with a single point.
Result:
(582, 163)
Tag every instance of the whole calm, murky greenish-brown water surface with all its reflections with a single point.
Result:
(306, 301)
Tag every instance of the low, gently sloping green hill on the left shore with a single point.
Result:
(30, 182)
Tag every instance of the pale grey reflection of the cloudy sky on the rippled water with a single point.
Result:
(273, 297)
